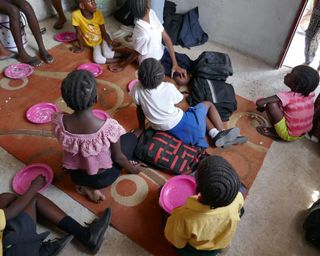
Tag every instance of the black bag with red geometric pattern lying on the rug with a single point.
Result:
(165, 152)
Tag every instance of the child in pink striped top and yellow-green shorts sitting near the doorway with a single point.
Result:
(291, 112)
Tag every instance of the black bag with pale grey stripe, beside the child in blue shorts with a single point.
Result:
(221, 94)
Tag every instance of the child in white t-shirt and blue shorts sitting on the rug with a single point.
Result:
(156, 100)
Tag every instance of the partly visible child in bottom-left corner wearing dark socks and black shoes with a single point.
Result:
(18, 218)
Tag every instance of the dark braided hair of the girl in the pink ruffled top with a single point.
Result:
(79, 90)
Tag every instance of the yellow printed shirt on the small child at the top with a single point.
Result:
(90, 28)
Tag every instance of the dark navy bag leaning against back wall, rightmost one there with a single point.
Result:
(191, 33)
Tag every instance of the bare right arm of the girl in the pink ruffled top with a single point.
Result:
(119, 158)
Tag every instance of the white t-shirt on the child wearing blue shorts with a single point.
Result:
(158, 105)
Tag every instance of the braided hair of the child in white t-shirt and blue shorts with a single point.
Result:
(151, 73)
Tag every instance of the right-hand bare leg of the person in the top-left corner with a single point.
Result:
(25, 7)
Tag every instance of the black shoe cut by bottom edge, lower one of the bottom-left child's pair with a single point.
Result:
(55, 246)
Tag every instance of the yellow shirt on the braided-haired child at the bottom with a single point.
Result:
(203, 228)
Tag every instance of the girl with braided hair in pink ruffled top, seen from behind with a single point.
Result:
(93, 150)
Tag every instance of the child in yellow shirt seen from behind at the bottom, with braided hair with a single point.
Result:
(207, 222)
